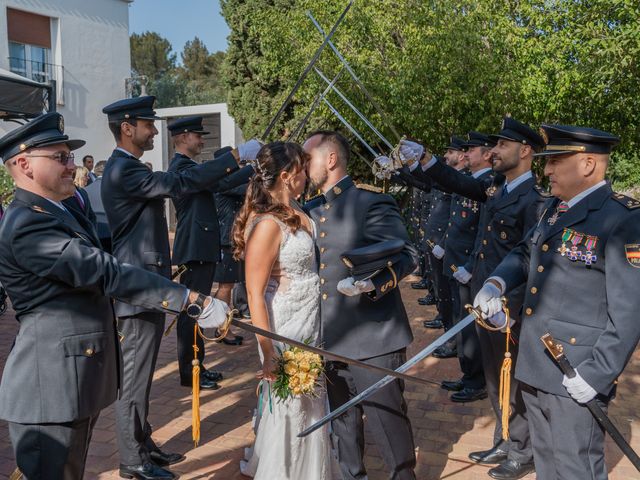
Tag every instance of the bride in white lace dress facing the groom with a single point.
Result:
(276, 239)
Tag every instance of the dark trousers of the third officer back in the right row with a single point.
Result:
(467, 342)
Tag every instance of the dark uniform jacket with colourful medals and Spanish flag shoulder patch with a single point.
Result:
(592, 310)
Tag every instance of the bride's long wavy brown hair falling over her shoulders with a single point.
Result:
(273, 159)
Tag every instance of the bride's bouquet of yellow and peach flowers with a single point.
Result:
(298, 373)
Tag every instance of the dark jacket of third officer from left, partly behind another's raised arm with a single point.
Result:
(197, 230)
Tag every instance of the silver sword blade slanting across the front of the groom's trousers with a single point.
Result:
(424, 353)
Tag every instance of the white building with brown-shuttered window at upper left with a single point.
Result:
(81, 44)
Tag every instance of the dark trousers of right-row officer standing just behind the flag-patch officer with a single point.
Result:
(492, 346)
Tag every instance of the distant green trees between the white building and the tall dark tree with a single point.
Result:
(196, 81)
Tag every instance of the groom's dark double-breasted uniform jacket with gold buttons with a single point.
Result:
(371, 324)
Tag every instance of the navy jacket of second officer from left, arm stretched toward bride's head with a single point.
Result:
(133, 198)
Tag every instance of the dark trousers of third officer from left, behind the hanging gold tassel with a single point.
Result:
(198, 277)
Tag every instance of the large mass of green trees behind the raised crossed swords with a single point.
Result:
(443, 67)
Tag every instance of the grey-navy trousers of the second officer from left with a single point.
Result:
(140, 345)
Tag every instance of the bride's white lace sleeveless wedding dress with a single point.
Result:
(293, 304)
